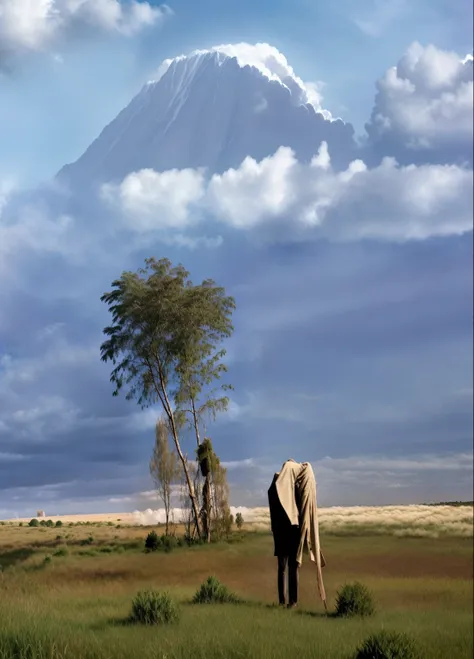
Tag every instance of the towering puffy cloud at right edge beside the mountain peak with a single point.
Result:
(426, 101)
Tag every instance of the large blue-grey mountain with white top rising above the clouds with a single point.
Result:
(212, 109)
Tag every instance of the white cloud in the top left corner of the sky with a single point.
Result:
(36, 25)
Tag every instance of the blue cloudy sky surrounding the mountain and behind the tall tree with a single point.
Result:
(353, 346)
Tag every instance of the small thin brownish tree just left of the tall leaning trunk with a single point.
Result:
(164, 468)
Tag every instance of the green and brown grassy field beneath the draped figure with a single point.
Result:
(75, 603)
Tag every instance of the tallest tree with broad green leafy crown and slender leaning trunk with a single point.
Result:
(163, 343)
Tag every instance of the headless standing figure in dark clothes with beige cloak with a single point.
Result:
(294, 521)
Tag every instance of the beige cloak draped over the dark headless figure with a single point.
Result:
(298, 478)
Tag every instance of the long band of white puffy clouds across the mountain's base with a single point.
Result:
(284, 197)
